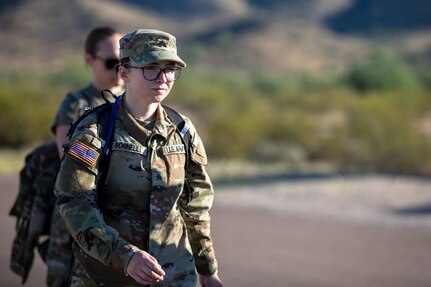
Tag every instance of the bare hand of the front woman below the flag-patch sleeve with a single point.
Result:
(145, 269)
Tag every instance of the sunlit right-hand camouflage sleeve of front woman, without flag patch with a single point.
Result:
(197, 215)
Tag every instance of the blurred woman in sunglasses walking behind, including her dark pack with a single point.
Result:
(35, 205)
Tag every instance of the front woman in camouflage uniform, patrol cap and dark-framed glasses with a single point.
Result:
(138, 224)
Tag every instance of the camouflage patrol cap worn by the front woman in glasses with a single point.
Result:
(147, 46)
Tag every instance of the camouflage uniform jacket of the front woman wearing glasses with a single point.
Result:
(141, 204)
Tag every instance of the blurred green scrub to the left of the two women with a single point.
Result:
(29, 101)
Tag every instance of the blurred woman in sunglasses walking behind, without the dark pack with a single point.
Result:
(102, 57)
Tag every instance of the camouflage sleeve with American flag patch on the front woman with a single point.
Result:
(75, 189)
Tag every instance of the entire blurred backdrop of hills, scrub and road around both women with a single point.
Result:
(316, 116)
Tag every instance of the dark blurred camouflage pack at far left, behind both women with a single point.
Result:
(33, 206)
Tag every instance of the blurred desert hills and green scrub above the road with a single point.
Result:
(338, 84)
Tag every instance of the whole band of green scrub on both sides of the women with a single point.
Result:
(375, 118)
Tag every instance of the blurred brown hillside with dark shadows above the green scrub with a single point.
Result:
(251, 35)
